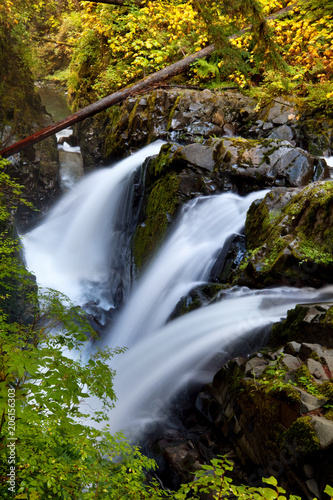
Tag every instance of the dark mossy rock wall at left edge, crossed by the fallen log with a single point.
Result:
(22, 114)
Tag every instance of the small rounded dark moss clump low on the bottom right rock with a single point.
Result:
(302, 436)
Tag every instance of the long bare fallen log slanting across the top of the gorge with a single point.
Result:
(120, 96)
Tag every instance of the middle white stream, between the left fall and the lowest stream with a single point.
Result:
(185, 261)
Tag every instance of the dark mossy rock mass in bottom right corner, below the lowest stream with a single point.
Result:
(272, 423)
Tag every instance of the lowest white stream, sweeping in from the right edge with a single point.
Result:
(155, 367)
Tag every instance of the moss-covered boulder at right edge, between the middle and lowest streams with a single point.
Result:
(289, 238)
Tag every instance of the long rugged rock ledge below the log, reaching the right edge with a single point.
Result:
(186, 116)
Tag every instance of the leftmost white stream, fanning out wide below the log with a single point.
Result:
(80, 243)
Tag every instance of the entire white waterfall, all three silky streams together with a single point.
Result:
(77, 248)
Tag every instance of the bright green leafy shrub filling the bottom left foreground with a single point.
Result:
(47, 450)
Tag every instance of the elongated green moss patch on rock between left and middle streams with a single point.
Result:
(162, 204)
